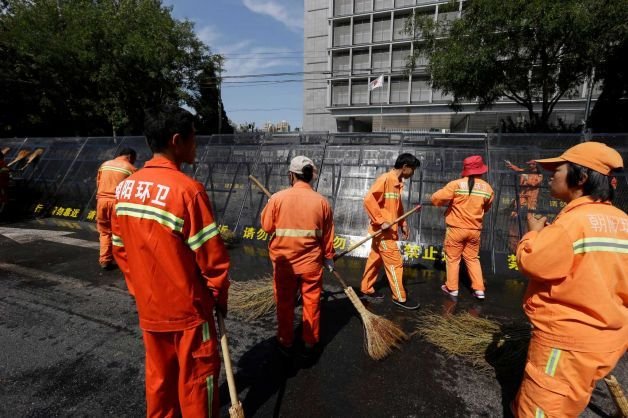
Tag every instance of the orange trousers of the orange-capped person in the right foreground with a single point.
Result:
(559, 383)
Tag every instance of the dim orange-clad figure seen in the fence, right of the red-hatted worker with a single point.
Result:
(529, 184)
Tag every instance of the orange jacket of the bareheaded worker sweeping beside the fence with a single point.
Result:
(383, 204)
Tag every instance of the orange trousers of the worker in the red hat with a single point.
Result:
(463, 243)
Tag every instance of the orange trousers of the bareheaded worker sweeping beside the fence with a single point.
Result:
(384, 252)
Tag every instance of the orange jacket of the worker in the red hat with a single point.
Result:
(465, 210)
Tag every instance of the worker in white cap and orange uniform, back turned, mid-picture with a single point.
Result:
(303, 227)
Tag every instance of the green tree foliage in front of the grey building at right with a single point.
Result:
(533, 52)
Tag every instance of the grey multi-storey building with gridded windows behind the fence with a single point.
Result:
(349, 43)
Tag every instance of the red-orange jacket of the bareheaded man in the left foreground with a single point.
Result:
(167, 244)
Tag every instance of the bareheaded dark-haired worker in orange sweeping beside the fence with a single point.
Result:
(383, 205)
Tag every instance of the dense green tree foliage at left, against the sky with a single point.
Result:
(90, 67)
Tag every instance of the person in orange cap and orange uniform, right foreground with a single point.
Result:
(577, 295)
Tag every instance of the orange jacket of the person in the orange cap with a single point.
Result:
(577, 296)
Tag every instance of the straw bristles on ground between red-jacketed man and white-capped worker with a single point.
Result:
(252, 299)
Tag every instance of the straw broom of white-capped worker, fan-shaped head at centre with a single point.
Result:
(381, 335)
